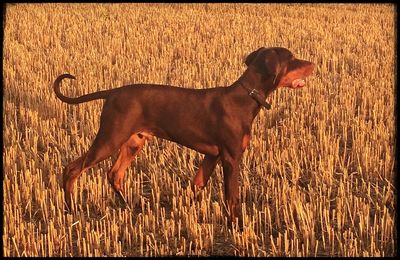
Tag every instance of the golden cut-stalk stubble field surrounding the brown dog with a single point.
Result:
(317, 178)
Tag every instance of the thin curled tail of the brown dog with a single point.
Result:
(85, 98)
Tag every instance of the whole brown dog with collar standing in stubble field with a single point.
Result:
(216, 121)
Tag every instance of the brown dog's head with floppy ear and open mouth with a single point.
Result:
(279, 67)
